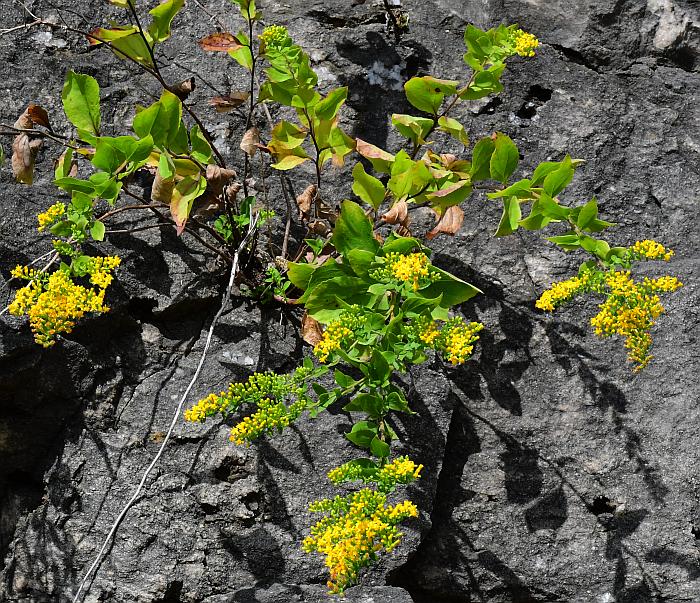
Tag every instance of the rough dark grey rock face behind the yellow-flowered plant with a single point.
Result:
(552, 472)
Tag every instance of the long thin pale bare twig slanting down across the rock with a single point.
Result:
(173, 422)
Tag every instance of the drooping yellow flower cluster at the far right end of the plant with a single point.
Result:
(630, 310)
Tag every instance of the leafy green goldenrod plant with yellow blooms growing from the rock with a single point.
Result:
(374, 304)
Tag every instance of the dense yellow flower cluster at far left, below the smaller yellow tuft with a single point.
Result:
(55, 304)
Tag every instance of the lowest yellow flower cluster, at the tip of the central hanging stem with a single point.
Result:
(357, 527)
